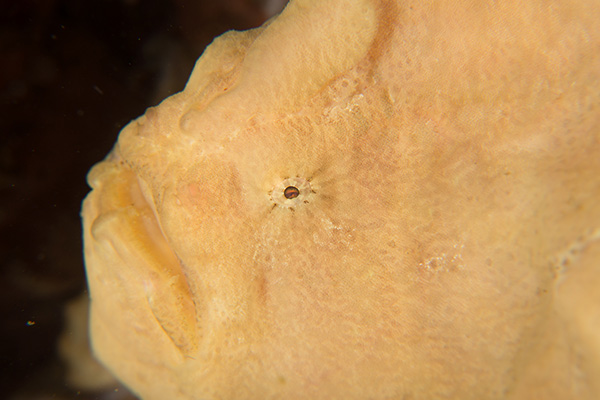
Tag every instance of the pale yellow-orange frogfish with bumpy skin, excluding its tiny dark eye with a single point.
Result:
(447, 246)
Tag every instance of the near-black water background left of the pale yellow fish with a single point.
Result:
(72, 74)
